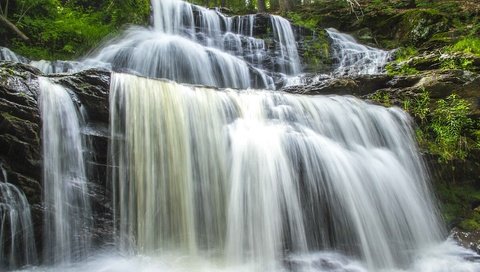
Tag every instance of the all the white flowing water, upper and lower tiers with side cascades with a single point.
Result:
(208, 179)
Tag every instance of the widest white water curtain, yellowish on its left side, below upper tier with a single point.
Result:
(251, 175)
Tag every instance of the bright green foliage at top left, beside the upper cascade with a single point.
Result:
(68, 29)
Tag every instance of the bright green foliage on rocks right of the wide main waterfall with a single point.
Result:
(444, 128)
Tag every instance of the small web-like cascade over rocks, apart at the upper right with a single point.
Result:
(353, 58)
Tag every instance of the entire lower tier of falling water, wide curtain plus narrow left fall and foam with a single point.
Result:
(229, 180)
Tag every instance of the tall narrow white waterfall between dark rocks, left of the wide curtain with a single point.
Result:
(68, 217)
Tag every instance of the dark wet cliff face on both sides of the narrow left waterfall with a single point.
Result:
(20, 137)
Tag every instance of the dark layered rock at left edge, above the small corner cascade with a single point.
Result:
(20, 127)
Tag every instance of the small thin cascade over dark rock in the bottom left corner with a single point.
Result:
(16, 228)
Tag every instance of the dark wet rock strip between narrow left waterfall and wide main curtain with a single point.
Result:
(91, 89)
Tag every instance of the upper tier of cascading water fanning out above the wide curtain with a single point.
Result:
(191, 44)
